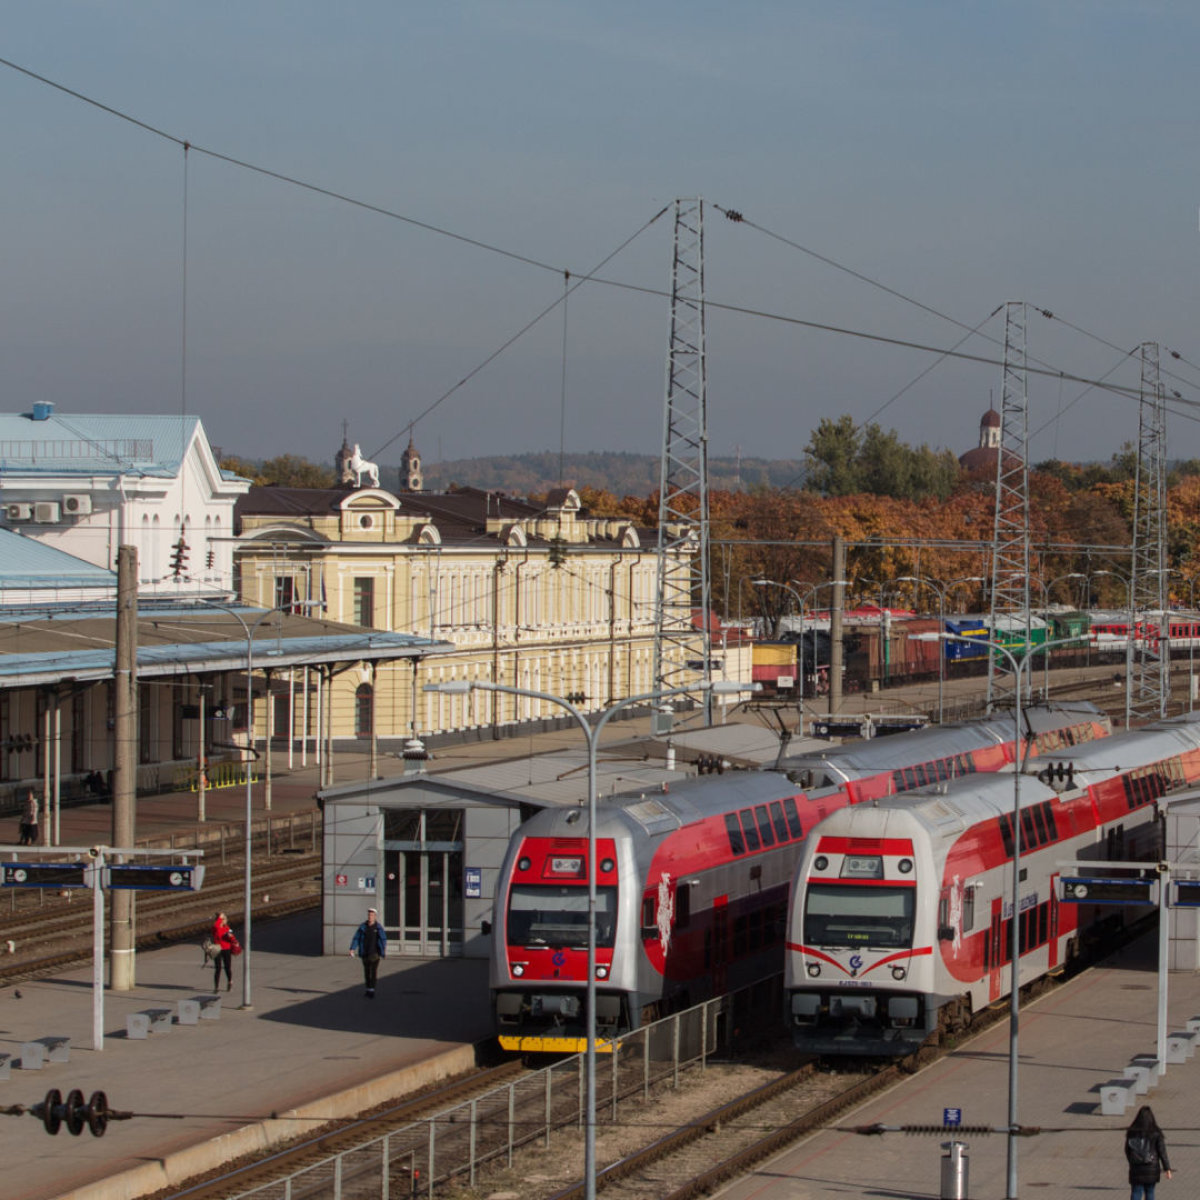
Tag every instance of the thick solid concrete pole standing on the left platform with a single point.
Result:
(125, 758)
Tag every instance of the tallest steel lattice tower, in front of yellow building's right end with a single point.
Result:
(682, 652)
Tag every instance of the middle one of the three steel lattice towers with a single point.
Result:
(1011, 533)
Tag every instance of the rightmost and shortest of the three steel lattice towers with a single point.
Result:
(1148, 665)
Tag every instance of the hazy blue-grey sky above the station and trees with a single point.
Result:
(962, 155)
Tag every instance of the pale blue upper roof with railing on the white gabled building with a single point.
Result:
(94, 445)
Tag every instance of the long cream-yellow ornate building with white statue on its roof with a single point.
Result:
(543, 598)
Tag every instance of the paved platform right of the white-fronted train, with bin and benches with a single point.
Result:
(1071, 1042)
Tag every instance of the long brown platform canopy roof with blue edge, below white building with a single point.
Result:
(40, 647)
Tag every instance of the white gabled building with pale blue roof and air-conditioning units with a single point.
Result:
(87, 483)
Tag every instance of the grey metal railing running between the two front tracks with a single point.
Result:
(453, 1145)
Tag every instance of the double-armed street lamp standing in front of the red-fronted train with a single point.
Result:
(592, 736)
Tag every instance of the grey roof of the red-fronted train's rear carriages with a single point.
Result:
(873, 755)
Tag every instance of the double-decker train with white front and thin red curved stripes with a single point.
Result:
(901, 920)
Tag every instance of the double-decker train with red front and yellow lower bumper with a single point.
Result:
(693, 884)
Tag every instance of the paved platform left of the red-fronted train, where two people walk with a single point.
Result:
(311, 1035)
